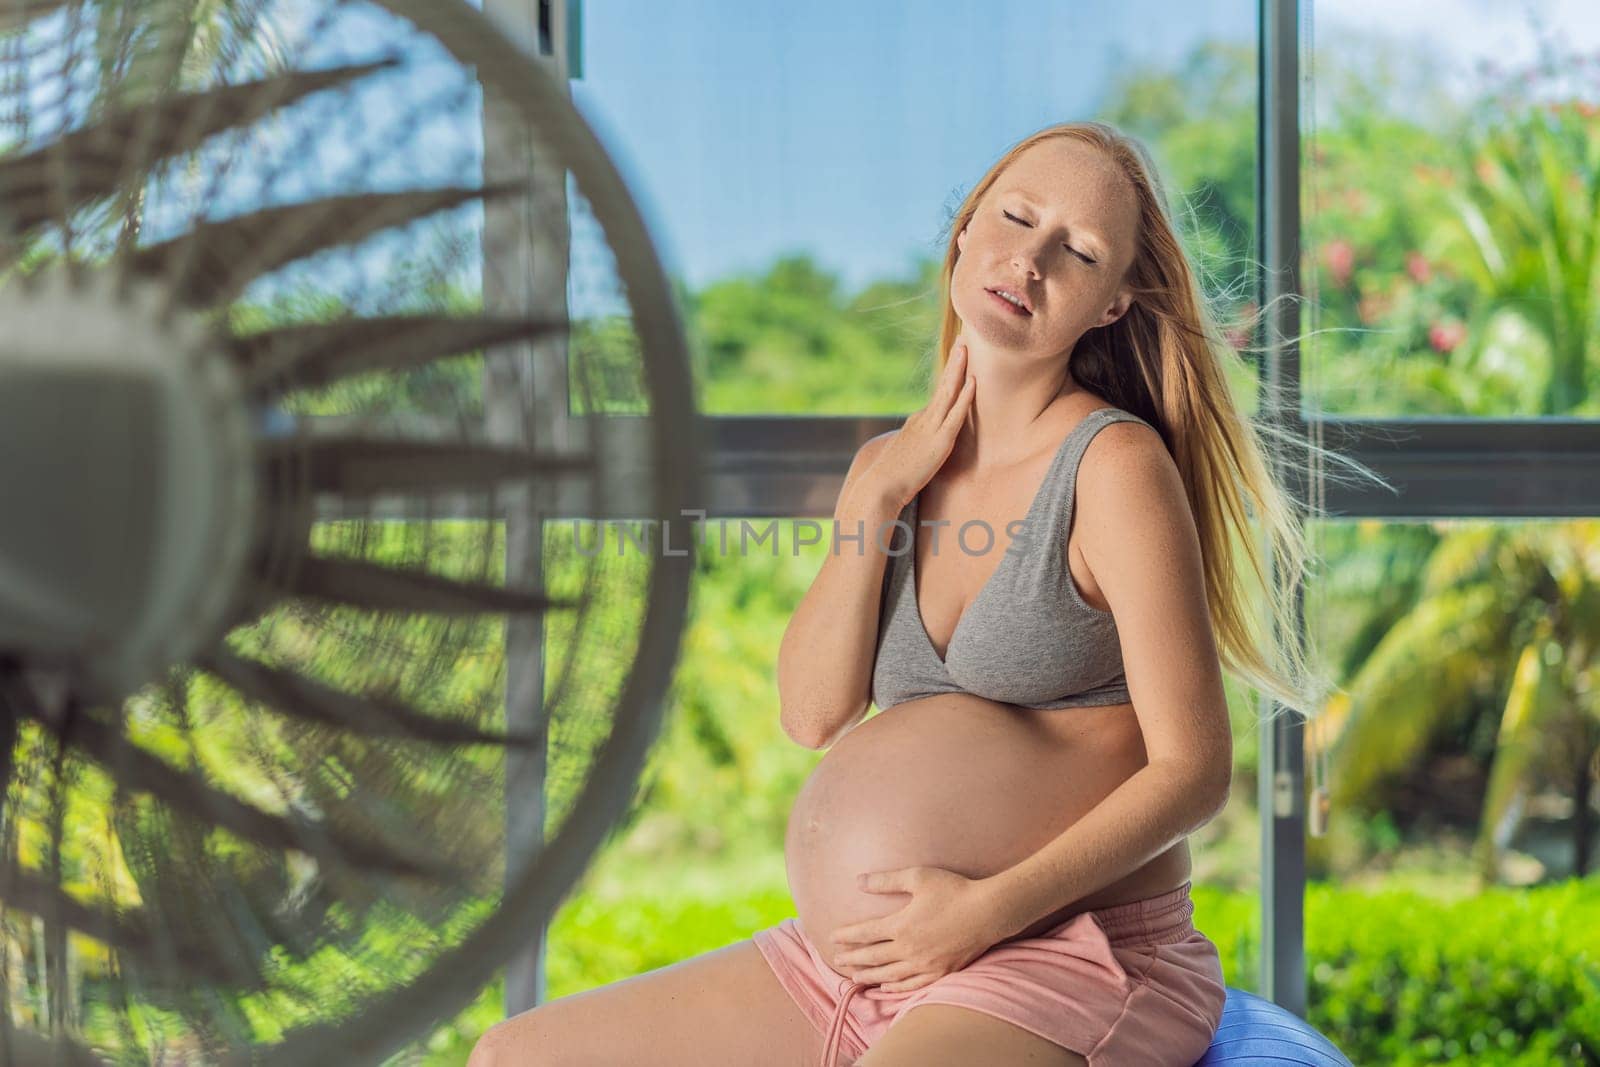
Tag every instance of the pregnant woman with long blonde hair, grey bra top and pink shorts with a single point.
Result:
(994, 869)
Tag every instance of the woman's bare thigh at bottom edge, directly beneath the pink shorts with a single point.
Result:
(946, 1036)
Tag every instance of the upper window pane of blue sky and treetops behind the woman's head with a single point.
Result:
(798, 162)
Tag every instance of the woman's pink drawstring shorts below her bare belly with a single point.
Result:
(1127, 985)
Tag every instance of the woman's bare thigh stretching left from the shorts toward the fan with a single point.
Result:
(722, 1007)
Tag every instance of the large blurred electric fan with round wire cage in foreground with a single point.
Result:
(311, 314)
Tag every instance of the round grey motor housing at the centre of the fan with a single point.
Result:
(127, 473)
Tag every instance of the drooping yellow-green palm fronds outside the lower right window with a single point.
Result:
(1505, 610)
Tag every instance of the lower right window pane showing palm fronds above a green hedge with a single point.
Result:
(1452, 908)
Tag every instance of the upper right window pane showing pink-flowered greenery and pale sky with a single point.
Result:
(1450, 188)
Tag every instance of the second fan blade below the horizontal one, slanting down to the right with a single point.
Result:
(366, 716)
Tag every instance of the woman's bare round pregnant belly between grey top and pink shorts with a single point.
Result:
(946, 781)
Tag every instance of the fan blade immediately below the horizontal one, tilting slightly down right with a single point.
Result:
(388, 589)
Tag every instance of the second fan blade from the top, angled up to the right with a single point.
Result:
(218, 260)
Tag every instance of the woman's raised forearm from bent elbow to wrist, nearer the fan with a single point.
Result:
(825, 660)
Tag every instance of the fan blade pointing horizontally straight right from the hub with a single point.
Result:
(362, 466)
